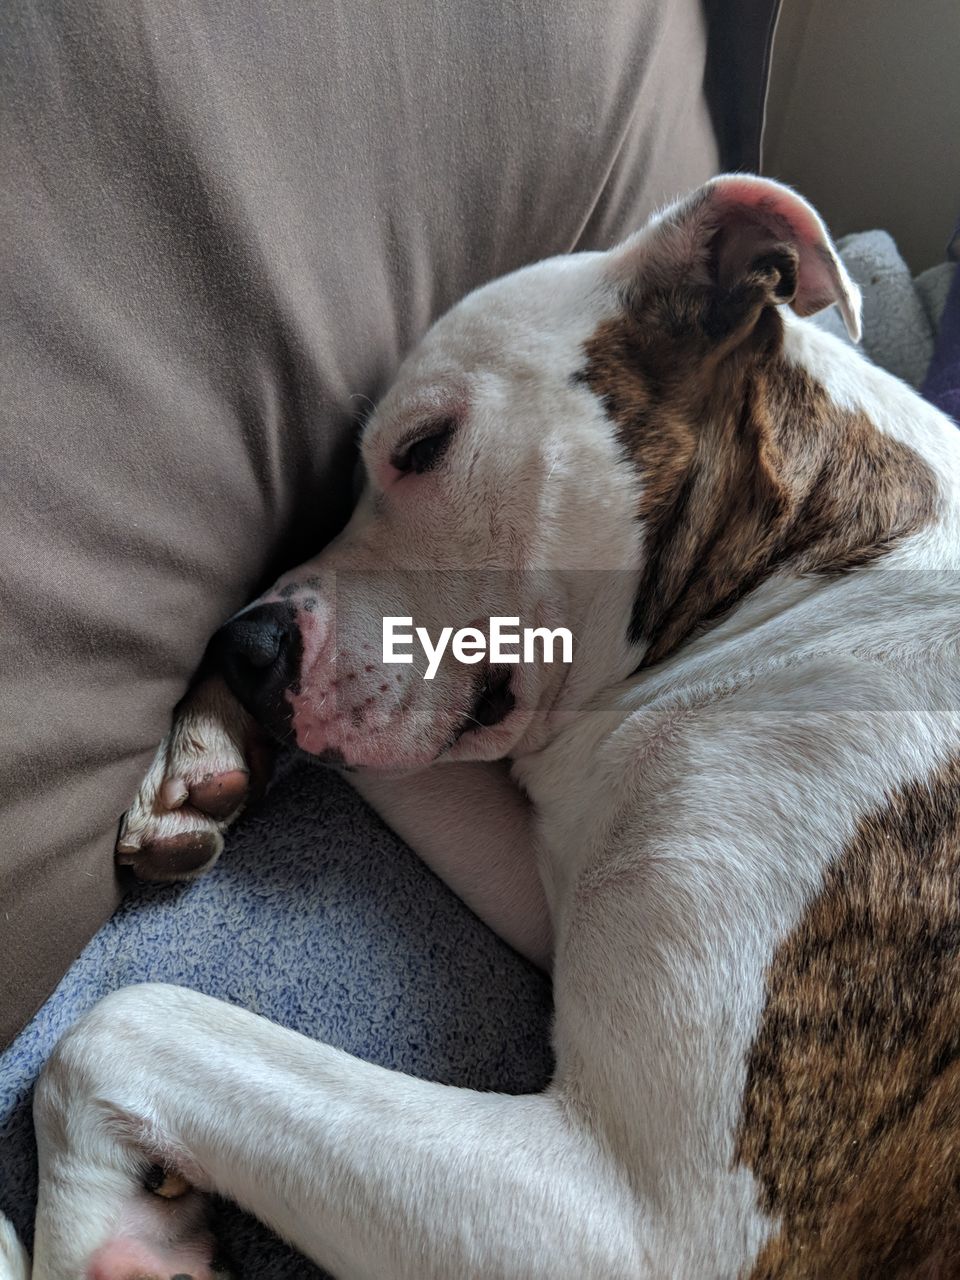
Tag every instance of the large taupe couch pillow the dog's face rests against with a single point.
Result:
(222, 225)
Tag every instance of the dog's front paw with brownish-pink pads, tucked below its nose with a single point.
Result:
(205, 771)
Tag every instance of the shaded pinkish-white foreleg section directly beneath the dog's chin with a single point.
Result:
(473, 826)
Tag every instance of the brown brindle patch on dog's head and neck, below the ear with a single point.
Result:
(747, 465)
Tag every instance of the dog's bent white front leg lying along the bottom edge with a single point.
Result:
(368, 1172)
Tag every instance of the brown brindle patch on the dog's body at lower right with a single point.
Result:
(852, 1112)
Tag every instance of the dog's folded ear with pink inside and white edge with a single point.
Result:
(747, 244)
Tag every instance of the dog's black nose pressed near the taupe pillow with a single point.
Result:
(259, 655)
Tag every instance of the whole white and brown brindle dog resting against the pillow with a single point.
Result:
(733, 821)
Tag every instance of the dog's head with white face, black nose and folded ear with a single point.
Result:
(538, 452)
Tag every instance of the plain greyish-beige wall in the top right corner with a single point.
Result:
(865, 116)
